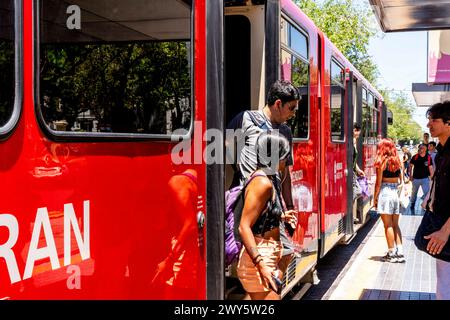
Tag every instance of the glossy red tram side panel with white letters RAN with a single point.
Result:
(136, 198)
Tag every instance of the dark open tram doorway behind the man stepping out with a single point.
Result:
(244, 86)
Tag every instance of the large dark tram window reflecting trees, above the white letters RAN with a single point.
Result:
(120, 67)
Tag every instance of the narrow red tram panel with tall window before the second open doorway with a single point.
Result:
(336, 143)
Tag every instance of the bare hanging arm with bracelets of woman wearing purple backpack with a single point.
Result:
(258, 192)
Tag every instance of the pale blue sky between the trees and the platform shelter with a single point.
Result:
(401, 58)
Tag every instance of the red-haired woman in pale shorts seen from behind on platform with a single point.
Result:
(386, 199)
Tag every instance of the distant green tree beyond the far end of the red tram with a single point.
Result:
(403, 128)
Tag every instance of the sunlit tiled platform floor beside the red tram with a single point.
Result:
(369, 278)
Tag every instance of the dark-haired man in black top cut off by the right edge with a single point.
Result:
(439, 200)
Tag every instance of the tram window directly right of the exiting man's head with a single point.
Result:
(296, 71)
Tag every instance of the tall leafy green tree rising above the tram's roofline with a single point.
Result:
(349, 25)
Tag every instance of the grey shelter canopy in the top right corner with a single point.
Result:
(412, 15)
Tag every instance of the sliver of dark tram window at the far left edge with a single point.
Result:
(7, 62)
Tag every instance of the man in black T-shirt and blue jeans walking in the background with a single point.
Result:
(421, 166)
